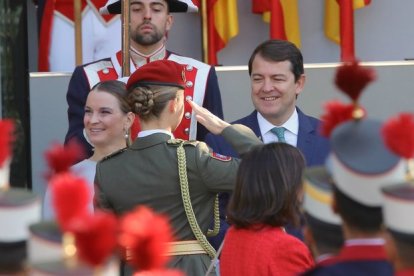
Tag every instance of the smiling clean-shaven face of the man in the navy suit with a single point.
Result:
(274, 89)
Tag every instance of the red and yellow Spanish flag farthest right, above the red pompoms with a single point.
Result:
(339, 24)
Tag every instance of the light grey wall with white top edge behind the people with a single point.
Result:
(381, 100)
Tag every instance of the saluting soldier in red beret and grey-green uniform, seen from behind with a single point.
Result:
(174, 177)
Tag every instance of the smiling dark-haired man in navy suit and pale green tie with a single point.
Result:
(277, 78)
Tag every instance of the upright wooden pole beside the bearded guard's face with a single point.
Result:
(125, 5)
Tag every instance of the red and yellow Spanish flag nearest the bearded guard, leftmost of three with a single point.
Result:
(221, 23)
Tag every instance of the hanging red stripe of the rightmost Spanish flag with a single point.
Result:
(346, 15)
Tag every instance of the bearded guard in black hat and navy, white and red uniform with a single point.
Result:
(150, 22)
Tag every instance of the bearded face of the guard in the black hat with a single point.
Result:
(150, 21)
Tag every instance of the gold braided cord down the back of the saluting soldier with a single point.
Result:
(185, 194)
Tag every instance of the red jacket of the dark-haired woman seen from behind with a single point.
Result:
(269, 251)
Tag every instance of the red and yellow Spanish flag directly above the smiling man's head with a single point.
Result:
(283, 16)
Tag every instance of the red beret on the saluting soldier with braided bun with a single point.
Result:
(160, 72)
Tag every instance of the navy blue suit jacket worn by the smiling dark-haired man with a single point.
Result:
(314, 147)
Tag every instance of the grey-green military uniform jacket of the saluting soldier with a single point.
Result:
(147, 174)
